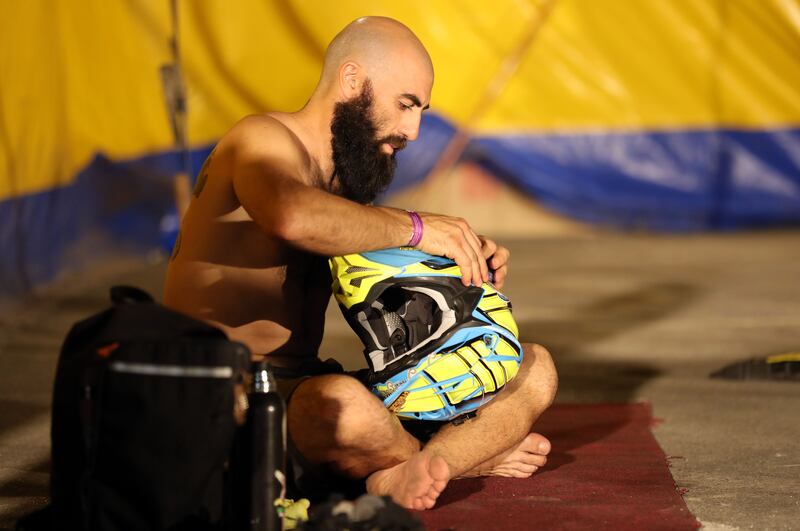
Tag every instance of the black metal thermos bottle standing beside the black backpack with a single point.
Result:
(267, 427)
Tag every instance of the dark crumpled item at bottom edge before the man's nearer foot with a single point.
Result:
(367, 513)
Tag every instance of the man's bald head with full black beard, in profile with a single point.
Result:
(376, 82)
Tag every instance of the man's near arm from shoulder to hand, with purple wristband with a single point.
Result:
(268, 162)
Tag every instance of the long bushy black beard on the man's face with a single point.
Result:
(361, 168)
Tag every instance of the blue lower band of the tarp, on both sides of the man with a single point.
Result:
(665, 181)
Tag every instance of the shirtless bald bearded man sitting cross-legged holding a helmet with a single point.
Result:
(283, 191)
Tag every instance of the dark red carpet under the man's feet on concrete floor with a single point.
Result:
(606, 471)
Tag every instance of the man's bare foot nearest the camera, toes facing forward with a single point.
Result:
(414, 484)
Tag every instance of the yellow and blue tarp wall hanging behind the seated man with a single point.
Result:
(665, 115)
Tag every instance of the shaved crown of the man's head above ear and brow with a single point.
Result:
(381, 46)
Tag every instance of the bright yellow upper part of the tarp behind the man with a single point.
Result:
(83, 77)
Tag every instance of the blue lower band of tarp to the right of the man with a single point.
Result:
(676, 181)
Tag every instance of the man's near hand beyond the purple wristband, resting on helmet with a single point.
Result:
(454, 238)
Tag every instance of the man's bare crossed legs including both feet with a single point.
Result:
(335, 421)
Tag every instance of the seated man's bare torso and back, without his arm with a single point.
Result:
(227, 270)
